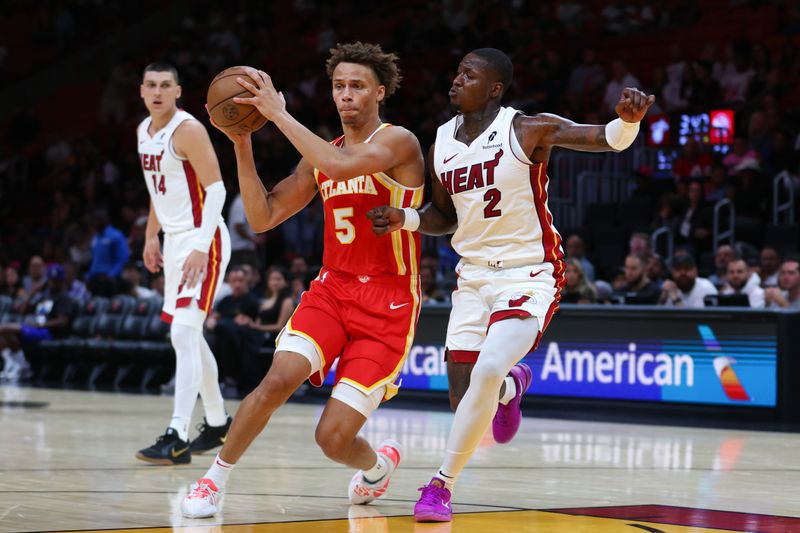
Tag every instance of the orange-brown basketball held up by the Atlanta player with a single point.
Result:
(227, 114)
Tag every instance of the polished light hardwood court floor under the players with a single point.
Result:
(67, 463)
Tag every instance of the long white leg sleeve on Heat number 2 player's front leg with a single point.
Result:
(505, 344)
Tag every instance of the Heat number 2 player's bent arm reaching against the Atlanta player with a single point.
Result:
(438, 217)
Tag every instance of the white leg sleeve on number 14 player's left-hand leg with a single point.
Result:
(188, 375)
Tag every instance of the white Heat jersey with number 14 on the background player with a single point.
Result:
(174, 186)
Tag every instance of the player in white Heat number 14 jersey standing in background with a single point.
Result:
(186, 199)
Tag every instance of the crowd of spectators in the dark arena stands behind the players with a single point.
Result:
(73, 218)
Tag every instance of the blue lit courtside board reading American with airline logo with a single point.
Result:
(653, 358)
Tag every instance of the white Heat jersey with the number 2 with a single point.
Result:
(499, 195)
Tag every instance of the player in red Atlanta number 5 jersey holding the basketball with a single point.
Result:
(363, 307)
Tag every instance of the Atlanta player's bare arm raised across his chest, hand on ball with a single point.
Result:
(390, 148)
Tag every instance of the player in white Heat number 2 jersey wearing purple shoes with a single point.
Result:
(490, 190)
